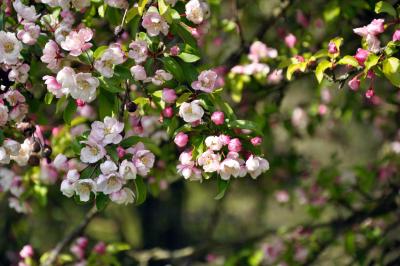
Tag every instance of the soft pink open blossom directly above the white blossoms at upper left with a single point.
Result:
(77, 41)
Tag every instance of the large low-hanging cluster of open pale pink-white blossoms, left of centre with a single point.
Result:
(114, 175)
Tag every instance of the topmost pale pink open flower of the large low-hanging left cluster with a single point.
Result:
(107, 132)
